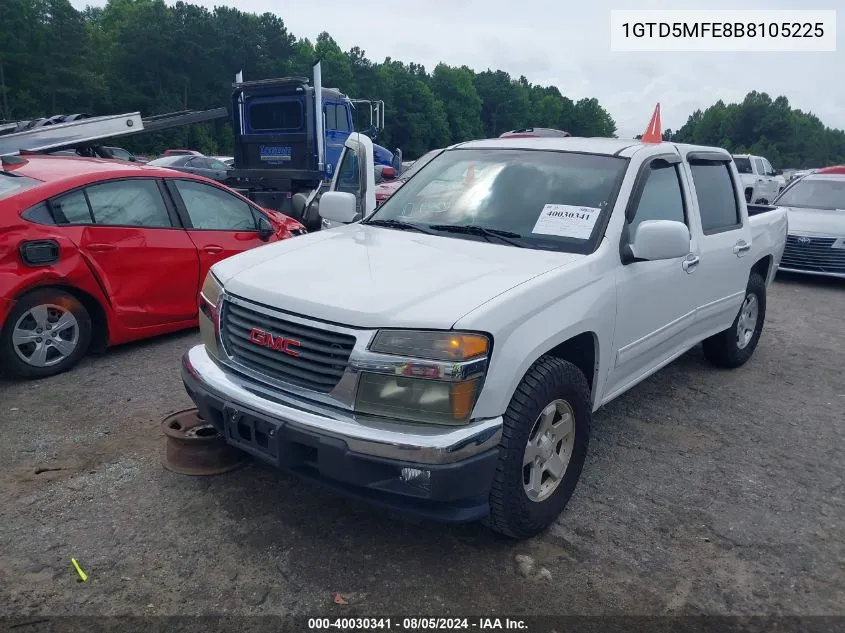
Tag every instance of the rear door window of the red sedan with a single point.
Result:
(128, 203)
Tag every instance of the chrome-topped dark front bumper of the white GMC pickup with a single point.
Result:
(443, 473)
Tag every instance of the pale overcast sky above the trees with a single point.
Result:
(566, 43)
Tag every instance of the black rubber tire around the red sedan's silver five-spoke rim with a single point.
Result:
(13, 364)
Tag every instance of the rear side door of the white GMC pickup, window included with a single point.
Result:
(725, 241)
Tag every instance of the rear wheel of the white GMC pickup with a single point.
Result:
(734, 347)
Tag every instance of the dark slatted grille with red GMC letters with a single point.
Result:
(308, 357)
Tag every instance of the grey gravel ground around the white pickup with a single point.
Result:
(705, 491)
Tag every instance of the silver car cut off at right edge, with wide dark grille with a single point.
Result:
(815, 208)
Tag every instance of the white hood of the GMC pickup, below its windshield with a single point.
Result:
(371, 277)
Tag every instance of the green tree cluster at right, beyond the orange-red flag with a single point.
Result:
(788, 137)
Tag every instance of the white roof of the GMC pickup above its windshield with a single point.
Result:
(604, 146)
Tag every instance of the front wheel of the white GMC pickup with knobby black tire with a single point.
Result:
(544, 445)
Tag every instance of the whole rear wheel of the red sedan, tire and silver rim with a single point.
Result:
(47, 332)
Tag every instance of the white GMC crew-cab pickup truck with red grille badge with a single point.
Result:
(445, 355)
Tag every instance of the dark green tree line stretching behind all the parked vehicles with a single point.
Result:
(142, 55)
